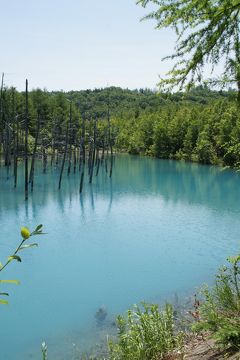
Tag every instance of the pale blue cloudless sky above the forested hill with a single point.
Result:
(79, 44)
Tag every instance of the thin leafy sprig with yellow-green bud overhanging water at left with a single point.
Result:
(25, 234)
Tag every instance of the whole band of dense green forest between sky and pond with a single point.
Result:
(200, 125)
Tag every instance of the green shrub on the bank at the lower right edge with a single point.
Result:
(220, 310)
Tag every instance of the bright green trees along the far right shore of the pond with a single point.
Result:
(207, 133)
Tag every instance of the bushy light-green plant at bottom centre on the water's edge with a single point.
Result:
(146, 334)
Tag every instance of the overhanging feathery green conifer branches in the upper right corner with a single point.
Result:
(207, 30)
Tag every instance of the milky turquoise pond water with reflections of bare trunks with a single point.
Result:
(156, 228)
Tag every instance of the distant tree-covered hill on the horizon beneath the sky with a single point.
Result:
(122, 101)
